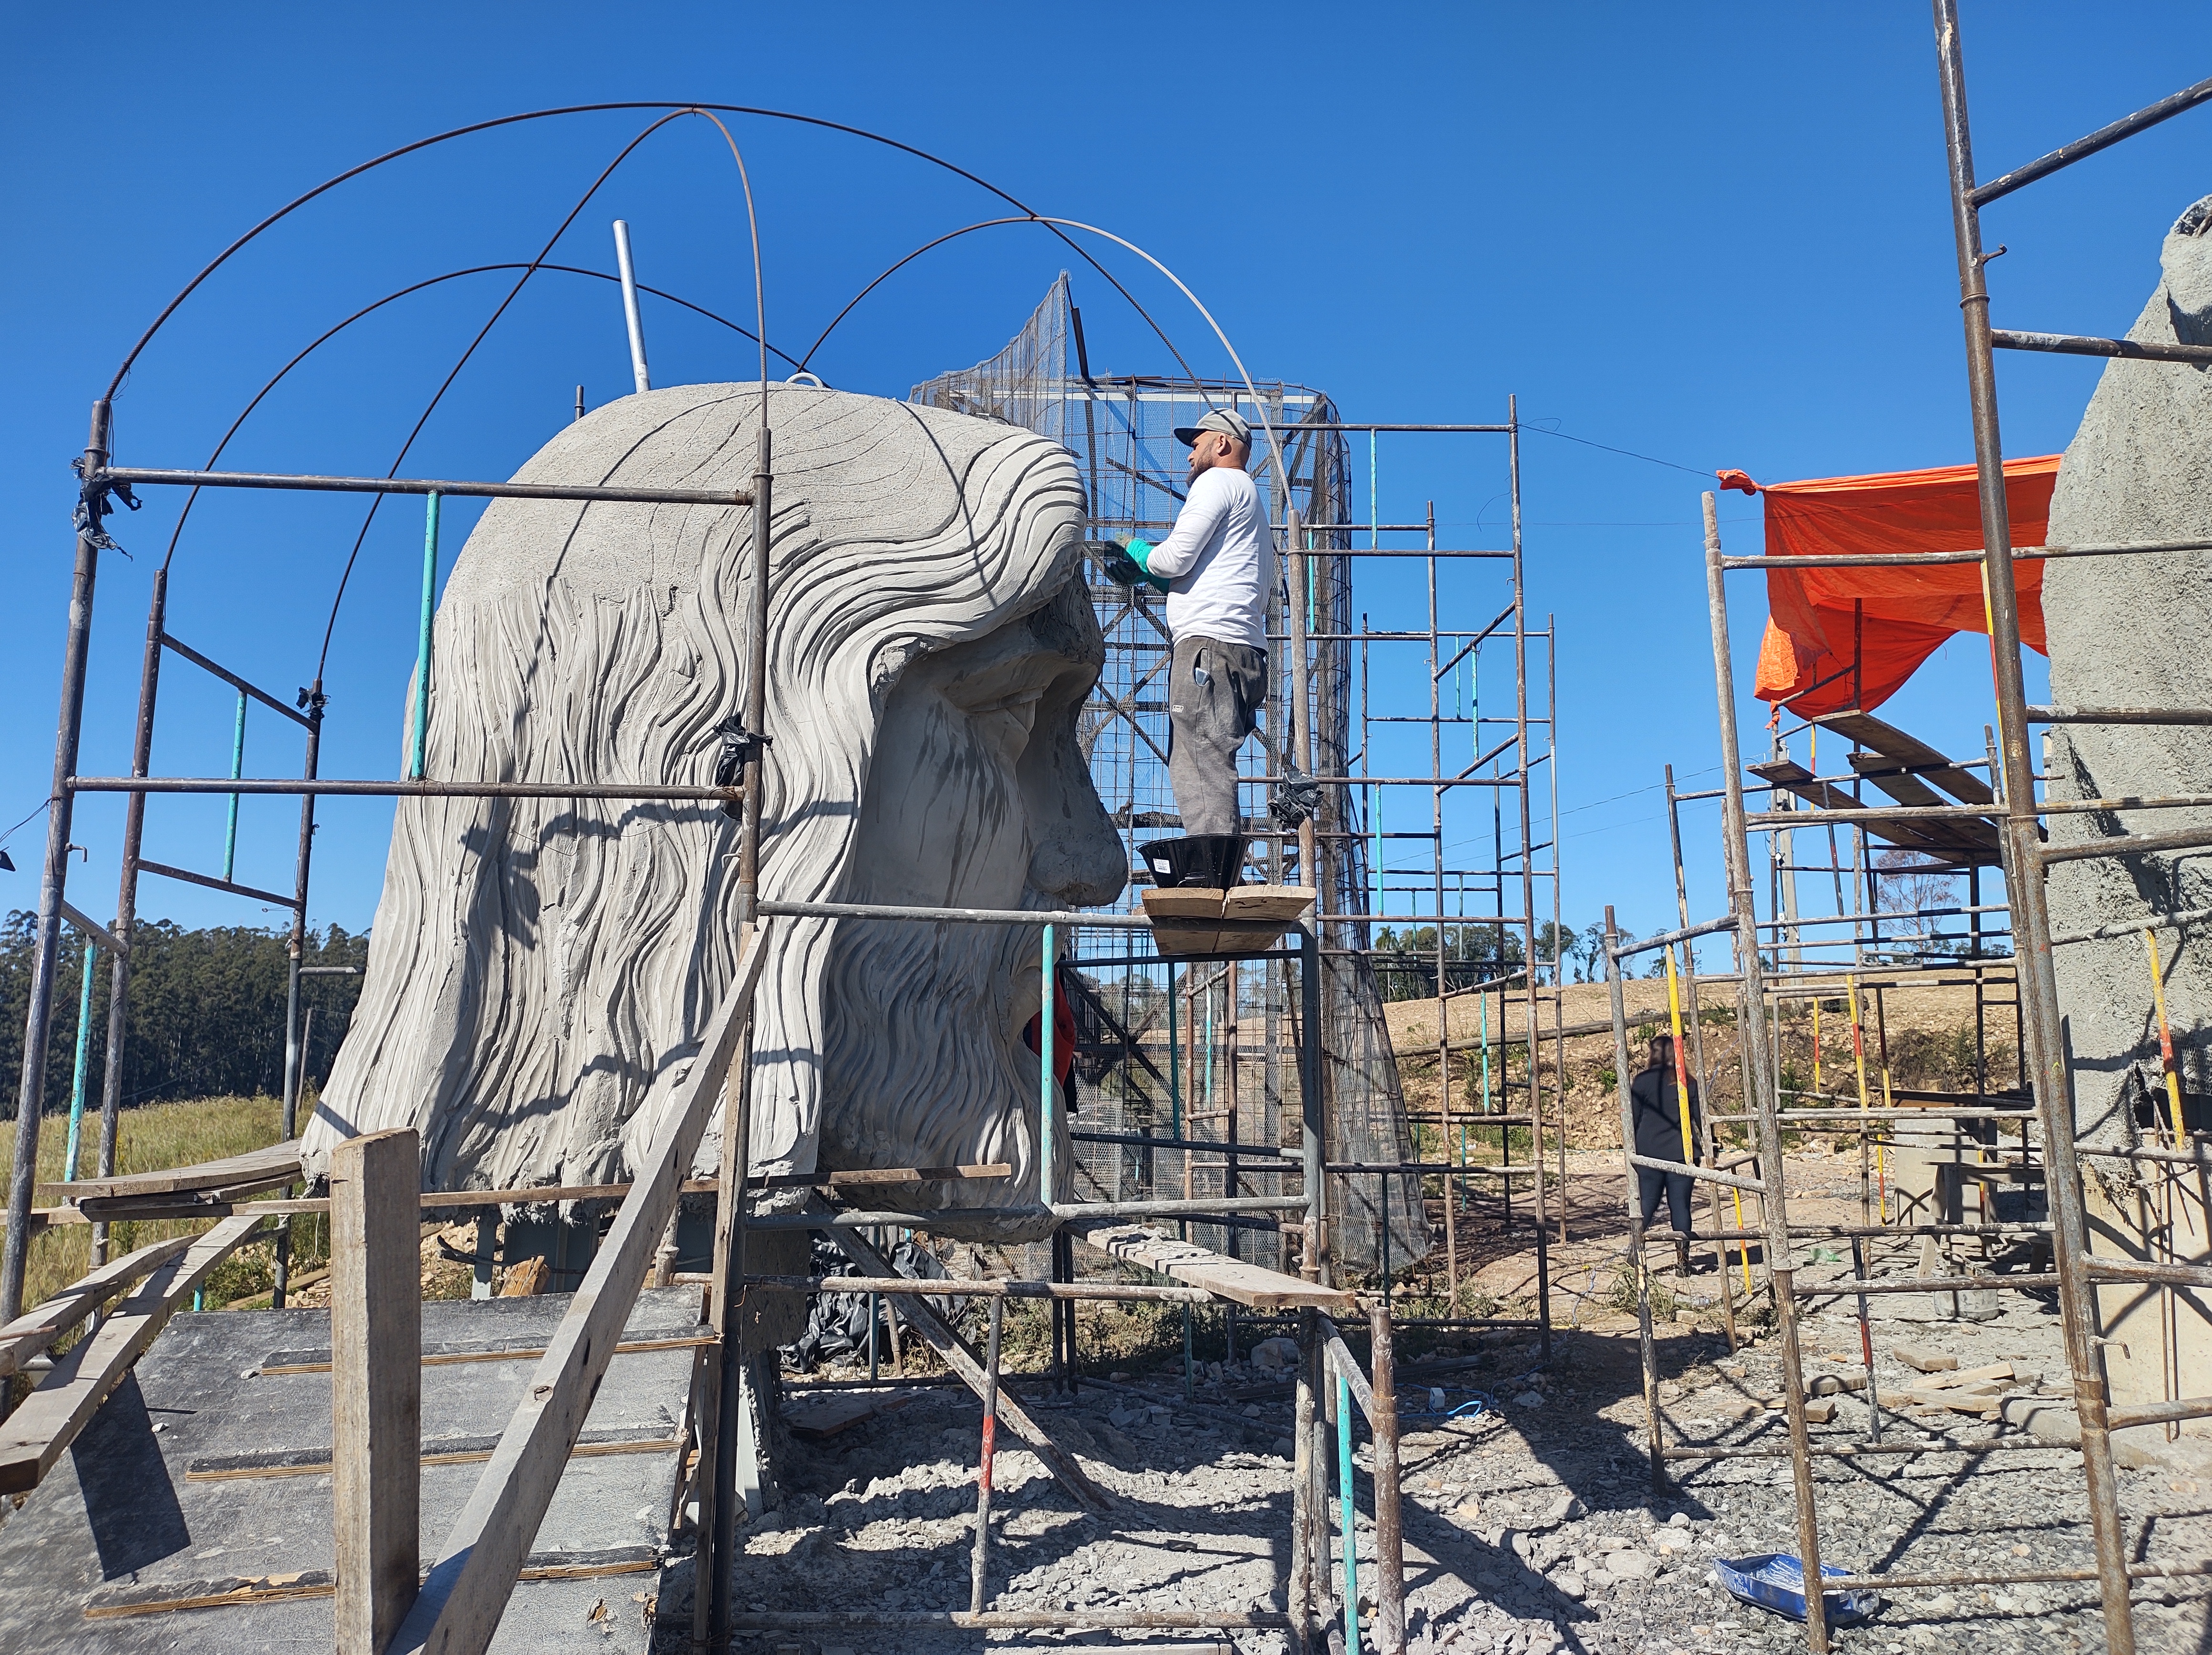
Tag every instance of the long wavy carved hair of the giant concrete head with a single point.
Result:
(541, 970)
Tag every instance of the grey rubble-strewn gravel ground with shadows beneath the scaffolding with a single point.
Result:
(1527, 1530)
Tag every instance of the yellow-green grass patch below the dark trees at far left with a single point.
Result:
(149, 1141)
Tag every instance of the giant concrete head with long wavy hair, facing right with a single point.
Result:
(541, 970)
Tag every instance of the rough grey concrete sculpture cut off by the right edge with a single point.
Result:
(2127, 632)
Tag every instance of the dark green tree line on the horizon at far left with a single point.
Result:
(205, 1017)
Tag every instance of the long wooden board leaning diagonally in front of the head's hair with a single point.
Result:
(466, 1594)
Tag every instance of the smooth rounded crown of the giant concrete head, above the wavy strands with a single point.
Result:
(862, 468)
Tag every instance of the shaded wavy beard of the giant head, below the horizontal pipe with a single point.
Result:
(924, 1063)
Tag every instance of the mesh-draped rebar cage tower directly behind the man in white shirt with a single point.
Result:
(1209, 1052)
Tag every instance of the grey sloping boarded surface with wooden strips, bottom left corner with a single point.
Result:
(123, 1519)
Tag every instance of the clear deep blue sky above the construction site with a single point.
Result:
(1709, 236)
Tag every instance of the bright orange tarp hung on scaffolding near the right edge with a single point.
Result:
(1886, 621)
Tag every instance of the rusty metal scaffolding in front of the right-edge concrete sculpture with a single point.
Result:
(1762, 979)
